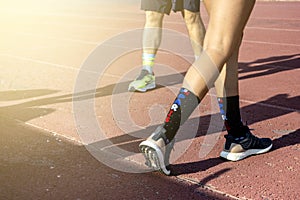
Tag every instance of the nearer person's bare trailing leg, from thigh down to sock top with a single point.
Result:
(225, 28)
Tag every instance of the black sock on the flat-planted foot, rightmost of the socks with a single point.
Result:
(230, 111)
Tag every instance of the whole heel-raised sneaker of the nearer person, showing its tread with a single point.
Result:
(156, 150)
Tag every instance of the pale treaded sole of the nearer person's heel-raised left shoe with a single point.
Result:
(154, 156)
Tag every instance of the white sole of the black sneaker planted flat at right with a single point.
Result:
(239, 156)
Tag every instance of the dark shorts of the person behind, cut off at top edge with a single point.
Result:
(165, 6)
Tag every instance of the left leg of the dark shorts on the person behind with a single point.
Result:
(161, 6)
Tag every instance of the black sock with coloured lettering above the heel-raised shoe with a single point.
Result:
(182, 108)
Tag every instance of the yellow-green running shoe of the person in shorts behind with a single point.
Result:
(145, 81)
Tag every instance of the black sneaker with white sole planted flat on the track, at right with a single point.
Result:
(239, 148)
